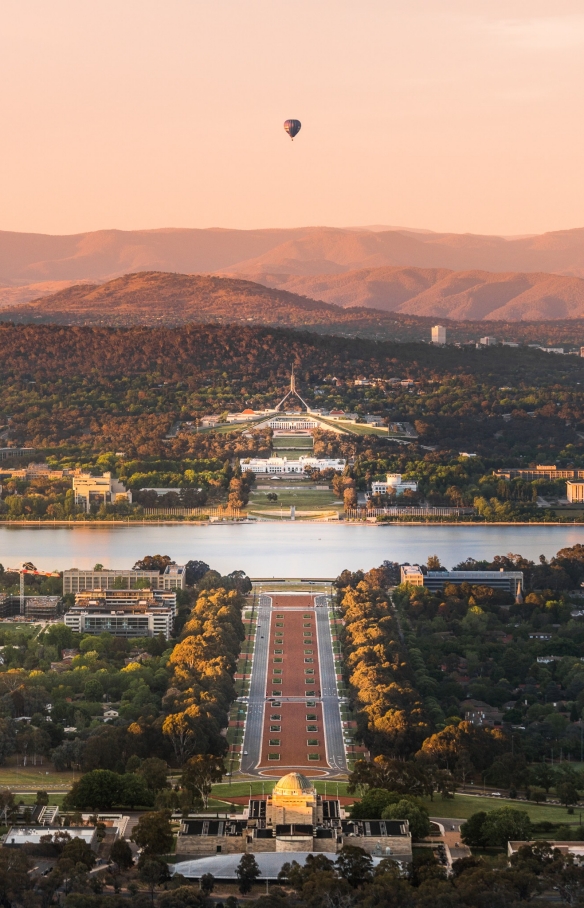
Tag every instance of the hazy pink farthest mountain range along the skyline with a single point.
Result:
(27, 258)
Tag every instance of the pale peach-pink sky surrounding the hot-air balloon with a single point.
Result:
(461, 115)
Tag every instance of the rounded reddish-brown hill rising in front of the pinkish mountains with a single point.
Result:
(163, 298)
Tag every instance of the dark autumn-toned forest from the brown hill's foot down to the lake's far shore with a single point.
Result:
(129, 400)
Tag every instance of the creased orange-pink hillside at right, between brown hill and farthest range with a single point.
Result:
(441, 293)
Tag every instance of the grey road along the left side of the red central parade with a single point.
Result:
(252, 741)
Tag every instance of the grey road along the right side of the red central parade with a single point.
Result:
(333, 729)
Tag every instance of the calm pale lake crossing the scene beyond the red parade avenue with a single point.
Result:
(275, 550)
